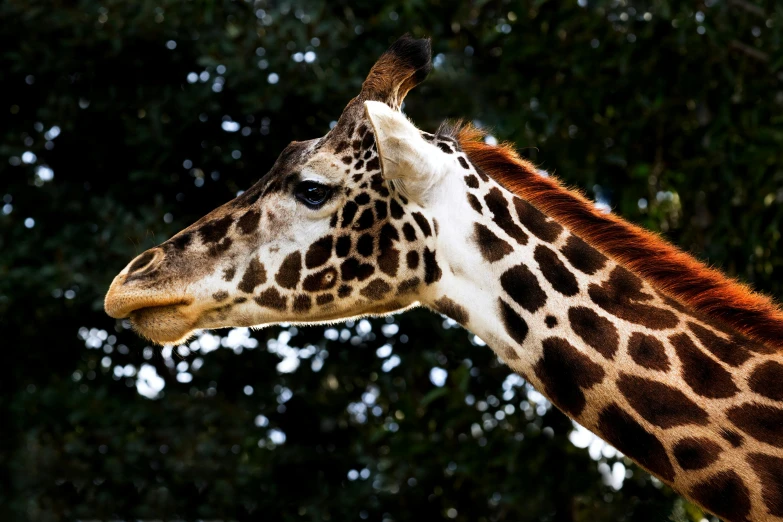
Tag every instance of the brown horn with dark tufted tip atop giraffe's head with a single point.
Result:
(403, 66)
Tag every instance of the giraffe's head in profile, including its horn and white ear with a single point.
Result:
(337, 228)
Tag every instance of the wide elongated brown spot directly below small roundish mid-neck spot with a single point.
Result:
(660, 404)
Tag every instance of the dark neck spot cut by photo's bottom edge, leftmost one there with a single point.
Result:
(724, 494)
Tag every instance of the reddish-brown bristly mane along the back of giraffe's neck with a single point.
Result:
(671, 271)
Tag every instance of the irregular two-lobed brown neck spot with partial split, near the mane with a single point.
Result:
(621, 296)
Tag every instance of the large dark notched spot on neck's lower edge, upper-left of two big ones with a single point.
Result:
(565, 372)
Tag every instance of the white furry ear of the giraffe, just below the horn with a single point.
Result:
(403, 152)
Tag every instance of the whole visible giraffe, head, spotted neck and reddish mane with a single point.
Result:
(674, 364)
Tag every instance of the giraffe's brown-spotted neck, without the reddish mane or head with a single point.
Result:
(691, 400)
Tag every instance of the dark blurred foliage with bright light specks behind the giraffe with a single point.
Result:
(122, 122)
